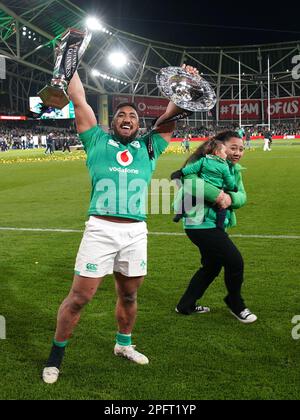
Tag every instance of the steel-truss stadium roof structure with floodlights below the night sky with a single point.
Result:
(30, 61)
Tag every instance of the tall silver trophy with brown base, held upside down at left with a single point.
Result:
(68, 55)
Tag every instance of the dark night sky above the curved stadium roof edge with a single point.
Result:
(201, 22)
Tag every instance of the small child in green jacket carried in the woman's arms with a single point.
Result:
(214, 169)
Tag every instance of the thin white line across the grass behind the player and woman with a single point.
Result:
(150, 233)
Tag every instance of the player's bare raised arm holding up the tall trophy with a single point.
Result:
(84, 115)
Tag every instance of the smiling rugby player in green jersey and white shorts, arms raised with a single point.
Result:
(115, 239)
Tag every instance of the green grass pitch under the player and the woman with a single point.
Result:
(209, 356)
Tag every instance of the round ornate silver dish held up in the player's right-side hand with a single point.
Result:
(187, 91)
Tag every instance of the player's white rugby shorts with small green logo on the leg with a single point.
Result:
(109, 247)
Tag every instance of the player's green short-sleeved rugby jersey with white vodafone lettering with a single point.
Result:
(120, 173)
